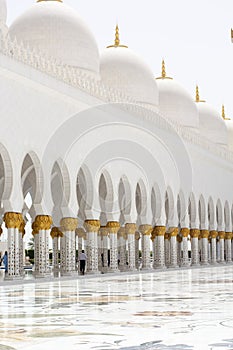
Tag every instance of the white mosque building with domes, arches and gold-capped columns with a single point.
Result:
(99, 154)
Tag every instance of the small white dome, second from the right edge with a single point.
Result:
(212, 125)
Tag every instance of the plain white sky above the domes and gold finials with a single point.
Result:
(192, 36)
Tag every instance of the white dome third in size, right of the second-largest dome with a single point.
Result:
(176, 104)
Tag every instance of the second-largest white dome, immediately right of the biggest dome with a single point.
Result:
(123, 70)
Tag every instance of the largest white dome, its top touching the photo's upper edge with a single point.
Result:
(57, 31)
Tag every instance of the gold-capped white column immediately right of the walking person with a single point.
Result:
(92, 228)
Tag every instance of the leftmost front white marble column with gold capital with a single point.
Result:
(13, 222)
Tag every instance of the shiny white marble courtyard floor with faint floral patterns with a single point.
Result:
(173, 309)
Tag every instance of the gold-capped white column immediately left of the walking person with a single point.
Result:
(68, 227)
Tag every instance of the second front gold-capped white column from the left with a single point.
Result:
(41, 229)
